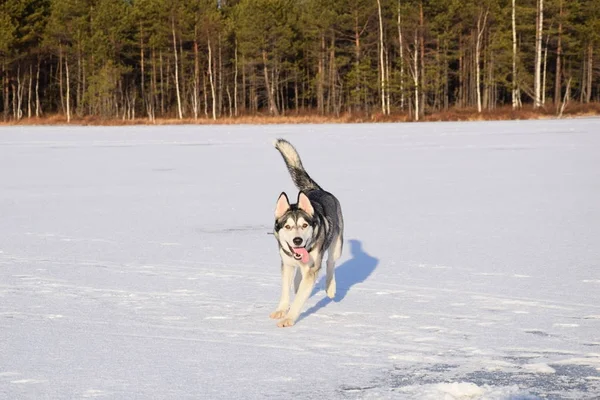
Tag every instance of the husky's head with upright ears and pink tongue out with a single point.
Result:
(294, 225)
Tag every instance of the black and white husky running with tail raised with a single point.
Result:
(304, 231)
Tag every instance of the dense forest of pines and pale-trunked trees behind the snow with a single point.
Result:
(211, 59)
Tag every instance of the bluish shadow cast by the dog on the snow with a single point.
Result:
(355, 270)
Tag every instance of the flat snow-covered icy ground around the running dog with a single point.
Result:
(137, 263)
